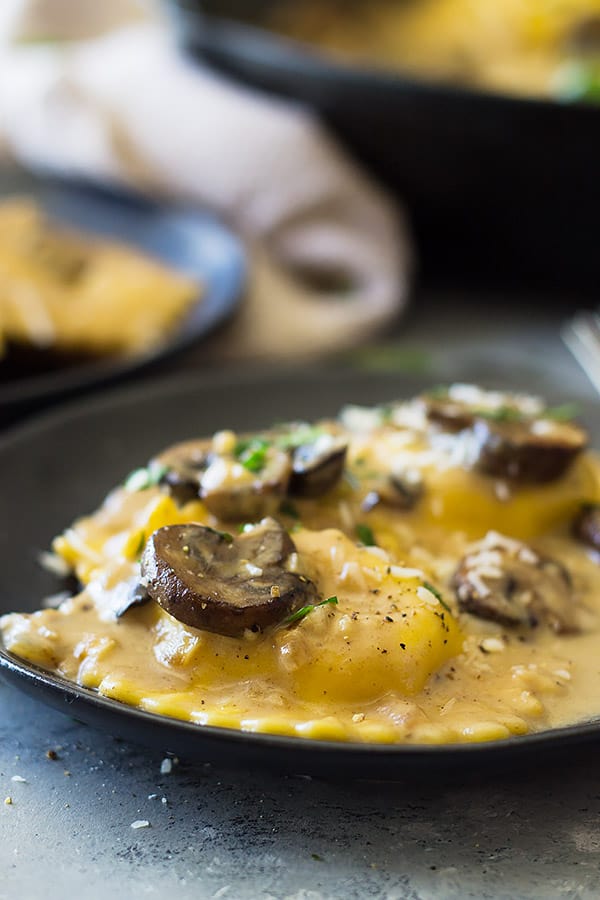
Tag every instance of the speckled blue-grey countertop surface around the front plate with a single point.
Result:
(211, 833)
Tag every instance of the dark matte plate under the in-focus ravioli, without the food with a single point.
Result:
(62, 466)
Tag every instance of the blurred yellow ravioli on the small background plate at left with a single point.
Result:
(69, 296)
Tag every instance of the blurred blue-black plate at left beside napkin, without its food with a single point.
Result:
(189, 241)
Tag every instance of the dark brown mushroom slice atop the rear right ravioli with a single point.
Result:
(531, 452)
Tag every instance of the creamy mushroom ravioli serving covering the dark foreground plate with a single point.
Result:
(420, 572)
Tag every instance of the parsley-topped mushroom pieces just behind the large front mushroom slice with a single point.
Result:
(231, 486)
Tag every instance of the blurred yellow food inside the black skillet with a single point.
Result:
(537, 48)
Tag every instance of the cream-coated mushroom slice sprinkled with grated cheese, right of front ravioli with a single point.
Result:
(507, 582)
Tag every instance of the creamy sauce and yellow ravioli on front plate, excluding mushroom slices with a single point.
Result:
(393, 661)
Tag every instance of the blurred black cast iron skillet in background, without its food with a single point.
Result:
(500, 188)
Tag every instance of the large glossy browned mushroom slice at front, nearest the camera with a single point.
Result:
(214, 582)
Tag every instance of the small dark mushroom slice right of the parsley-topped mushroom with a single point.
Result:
(318, 466)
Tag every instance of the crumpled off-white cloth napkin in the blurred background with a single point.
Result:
(100, 90)
